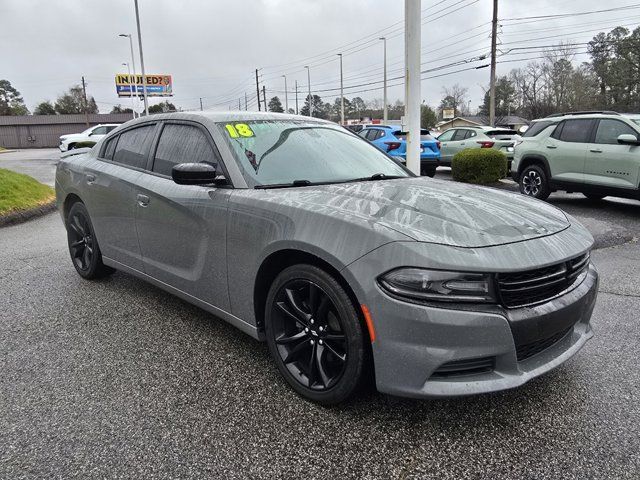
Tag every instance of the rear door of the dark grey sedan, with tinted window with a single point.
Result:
(110, 197)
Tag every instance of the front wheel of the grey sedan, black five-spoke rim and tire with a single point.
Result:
(315, 335)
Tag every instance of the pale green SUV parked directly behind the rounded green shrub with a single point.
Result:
(457, 139)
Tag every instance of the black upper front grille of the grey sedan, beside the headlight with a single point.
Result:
(530, 287)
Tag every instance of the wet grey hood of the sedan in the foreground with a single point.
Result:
(436, 211)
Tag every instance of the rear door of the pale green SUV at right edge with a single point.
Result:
(566, 149)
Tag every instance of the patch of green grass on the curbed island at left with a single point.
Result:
(21, 192)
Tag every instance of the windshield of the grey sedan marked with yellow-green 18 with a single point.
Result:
(274, 152)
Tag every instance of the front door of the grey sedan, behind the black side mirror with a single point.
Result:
(182, 228)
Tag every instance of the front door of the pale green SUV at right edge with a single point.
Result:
(609, 163)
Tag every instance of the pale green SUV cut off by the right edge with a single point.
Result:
(596, 153)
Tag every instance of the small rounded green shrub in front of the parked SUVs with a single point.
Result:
(479, 165)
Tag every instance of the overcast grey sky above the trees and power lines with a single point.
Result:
(212, 47)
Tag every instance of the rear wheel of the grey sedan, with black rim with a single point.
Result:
(83, 244)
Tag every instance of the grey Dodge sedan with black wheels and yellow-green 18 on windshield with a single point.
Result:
(301, 234)
